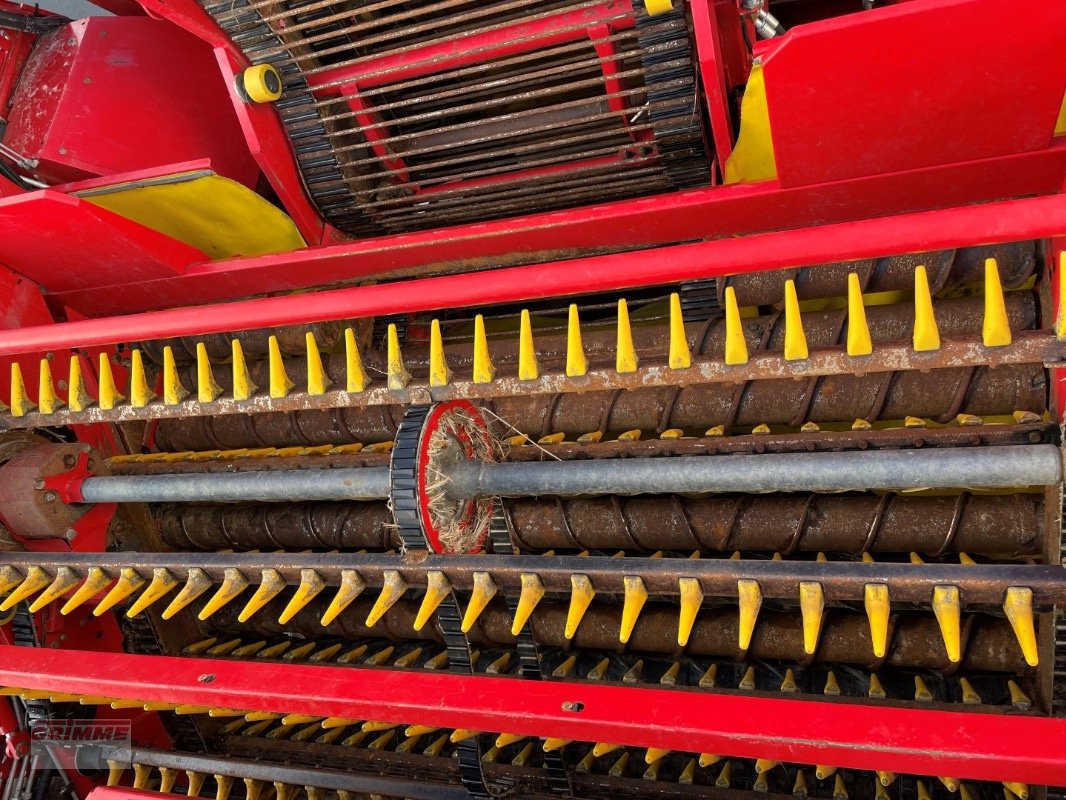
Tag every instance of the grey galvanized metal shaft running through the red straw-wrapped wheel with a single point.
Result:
(1000, 468)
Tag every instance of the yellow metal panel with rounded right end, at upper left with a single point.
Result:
(215, 215)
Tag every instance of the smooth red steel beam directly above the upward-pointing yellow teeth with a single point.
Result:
(1033, 218)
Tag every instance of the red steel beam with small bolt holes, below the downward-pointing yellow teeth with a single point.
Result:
(851, 735)
